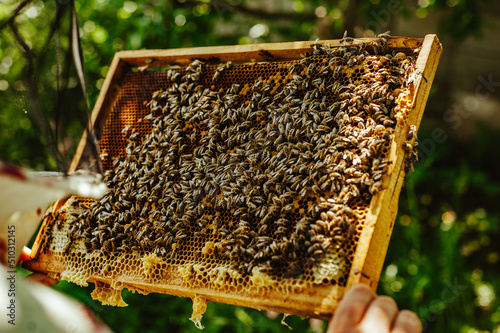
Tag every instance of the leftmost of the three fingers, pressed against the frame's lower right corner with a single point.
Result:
(351, 309)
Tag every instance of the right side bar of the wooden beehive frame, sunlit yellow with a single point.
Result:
(374, 240)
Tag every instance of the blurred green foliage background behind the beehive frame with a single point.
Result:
(443, 259)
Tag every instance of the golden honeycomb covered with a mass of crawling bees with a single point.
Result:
(238, 178)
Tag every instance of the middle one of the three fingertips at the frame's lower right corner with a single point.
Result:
(380, 314)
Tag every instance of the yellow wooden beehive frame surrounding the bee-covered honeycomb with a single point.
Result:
(373, 242)
